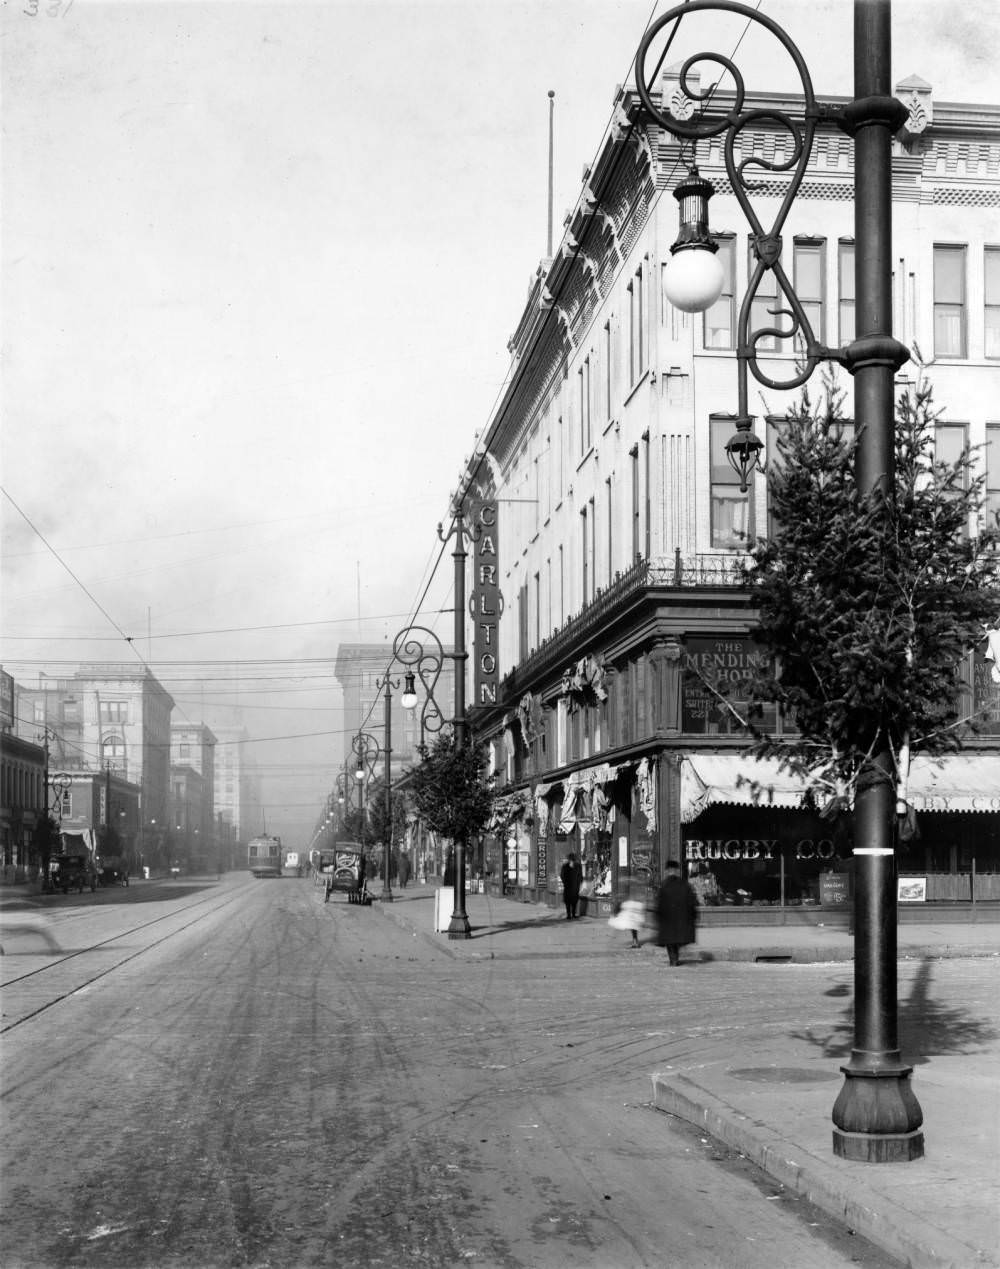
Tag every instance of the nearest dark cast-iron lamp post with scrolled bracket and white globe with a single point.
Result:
(876, 1116)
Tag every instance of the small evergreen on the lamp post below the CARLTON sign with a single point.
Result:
(452, 791)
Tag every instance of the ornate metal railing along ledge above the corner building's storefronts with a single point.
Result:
(687, 573)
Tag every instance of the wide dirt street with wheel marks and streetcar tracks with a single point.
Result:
(238, 1075)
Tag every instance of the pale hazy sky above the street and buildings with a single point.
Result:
(261, 263)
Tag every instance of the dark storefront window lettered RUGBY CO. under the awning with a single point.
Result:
(742, 856)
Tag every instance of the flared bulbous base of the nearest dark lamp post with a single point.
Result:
(878, 1117)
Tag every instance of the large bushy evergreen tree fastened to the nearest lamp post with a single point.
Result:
(869, 606)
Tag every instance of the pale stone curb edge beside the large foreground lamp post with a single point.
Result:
(918, 1243)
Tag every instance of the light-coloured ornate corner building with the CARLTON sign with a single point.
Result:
(621, 526)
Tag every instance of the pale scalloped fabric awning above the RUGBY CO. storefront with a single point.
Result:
(956, 782)
